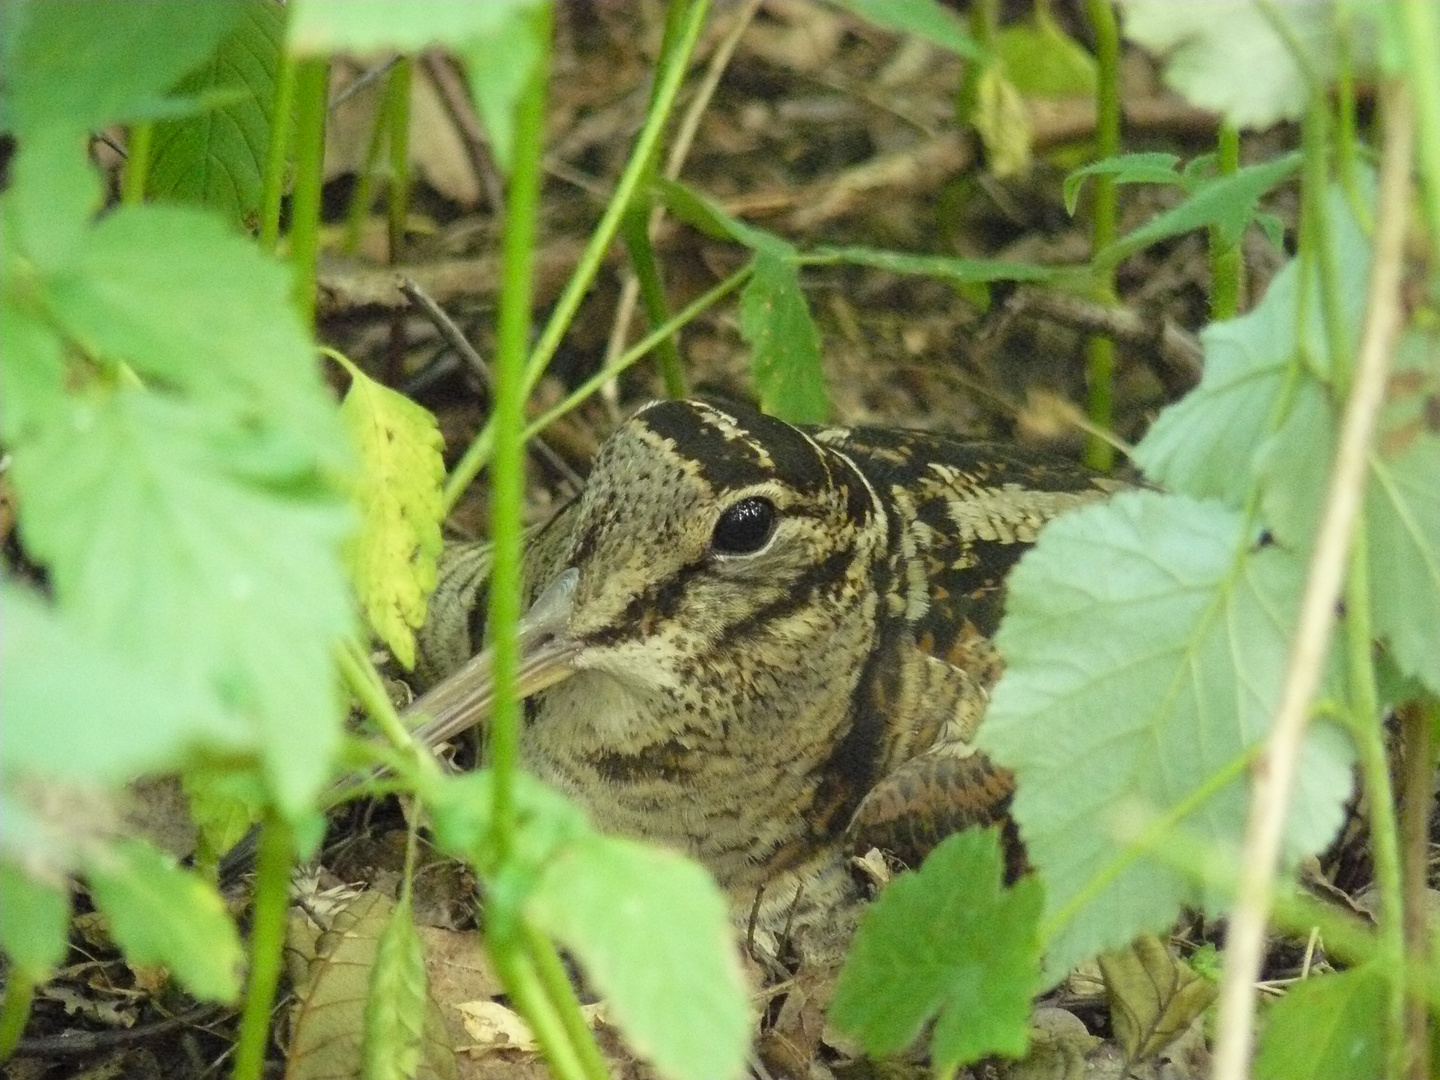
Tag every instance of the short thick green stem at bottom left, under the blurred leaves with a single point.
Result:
(267, 945)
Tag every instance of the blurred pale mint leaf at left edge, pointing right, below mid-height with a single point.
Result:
(77, 711)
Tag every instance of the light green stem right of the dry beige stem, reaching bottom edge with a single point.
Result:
(1370, 744)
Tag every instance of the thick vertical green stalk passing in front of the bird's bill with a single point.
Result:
(509, 418)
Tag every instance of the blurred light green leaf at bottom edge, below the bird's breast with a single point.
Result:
(654, 938)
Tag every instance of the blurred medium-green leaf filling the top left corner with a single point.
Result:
(53, 51)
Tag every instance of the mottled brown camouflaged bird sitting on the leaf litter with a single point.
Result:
(764, 646)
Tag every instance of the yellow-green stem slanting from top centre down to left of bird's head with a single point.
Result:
(580, 284)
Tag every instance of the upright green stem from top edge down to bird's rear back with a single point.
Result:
(1101, 351)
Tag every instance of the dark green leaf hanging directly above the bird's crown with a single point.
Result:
(784, 342)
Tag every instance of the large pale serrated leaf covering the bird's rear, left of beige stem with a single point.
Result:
(1146, 644)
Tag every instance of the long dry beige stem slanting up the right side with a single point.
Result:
(1275, 774)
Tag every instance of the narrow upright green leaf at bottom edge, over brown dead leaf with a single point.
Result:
(397, 1004)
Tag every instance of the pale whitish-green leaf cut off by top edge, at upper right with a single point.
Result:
(1235, 57)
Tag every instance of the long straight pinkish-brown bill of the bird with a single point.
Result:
(466, 698)
